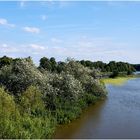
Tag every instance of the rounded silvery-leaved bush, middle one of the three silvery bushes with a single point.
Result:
(67, 86)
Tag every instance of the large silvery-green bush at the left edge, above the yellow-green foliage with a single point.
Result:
(18, 76)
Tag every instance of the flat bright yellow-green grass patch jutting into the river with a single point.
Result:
(117, 81)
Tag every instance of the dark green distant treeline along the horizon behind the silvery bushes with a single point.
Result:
(53, 66)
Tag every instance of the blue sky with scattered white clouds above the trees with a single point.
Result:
(89, 30)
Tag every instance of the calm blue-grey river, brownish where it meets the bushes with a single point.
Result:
(117, 116)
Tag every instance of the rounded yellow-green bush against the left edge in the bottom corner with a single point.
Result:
(9, 115)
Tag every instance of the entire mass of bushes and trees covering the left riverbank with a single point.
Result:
(34, 100)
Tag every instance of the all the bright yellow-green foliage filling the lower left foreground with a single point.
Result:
(16, 125)
